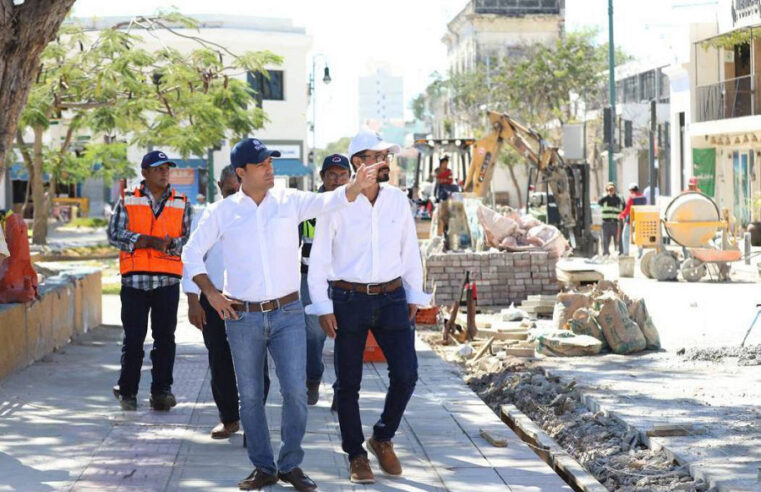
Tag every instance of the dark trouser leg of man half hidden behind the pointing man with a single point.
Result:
(223, 384)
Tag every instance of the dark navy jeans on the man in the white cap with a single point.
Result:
(387, 316)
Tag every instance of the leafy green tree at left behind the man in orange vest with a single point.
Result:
(109, 86)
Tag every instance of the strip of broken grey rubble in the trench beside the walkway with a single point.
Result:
(599, 442)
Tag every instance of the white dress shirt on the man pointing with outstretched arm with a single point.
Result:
(260, 243)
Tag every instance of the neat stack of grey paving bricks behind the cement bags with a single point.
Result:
(501, 277)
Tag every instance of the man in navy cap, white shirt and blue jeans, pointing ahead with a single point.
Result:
(257, 228)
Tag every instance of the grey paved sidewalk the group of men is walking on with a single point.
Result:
(61, 429)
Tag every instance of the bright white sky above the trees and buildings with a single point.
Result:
(405, 36)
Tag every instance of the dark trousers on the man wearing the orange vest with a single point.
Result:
(162, 305)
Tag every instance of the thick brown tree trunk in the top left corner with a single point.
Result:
(25, 30)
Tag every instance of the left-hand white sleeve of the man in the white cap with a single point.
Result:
(320, 259)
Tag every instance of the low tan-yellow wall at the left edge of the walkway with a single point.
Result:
(69, 305)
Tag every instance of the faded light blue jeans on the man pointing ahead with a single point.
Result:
(282, 332)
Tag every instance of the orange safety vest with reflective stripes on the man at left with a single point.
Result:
(143, 221)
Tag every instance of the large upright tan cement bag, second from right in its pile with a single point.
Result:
(621, 332)
